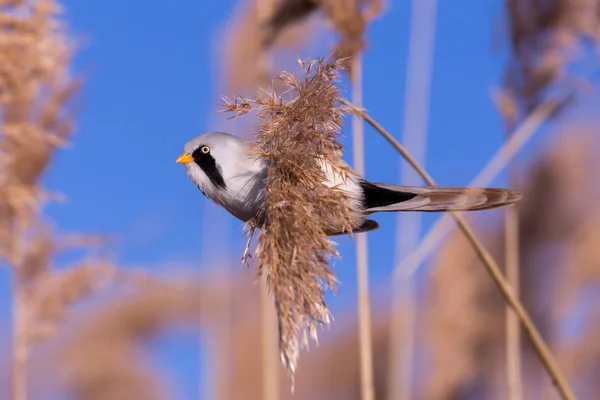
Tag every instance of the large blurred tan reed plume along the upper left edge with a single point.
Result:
(34, 87)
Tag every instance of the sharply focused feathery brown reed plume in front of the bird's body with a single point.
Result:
(295, 135)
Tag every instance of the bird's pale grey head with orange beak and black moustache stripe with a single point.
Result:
(210, 158)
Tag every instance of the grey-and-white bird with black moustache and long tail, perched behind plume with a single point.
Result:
(223, 167)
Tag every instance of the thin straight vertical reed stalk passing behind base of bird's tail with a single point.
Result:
(362, 267)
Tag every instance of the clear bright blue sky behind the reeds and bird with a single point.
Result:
(151, 85)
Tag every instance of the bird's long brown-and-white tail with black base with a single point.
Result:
(380, 197)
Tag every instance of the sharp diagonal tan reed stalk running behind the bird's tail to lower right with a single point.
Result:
(495, 273)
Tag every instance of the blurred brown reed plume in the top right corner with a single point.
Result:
(545, 37)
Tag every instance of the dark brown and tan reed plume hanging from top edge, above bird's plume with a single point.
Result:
(348, 17)
